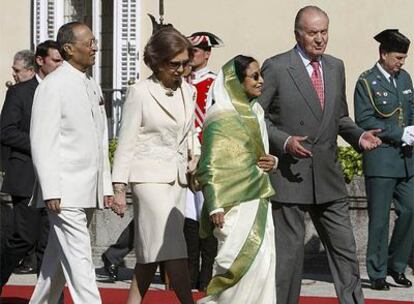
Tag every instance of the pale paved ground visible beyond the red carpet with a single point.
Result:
(313, 285)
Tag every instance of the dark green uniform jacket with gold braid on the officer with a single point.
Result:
(390, 159)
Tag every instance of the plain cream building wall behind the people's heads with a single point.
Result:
(263, 28)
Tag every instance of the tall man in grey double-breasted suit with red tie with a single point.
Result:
(305, 105)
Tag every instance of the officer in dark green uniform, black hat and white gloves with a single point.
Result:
(384, 100)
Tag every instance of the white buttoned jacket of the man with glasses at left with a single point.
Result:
(69, 140)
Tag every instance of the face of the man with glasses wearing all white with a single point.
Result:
(83, 50)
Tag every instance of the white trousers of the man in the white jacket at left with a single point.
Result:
(68, 259)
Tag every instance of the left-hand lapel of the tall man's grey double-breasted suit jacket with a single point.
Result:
(303, 82)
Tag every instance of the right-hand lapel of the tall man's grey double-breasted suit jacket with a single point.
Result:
(330, 87)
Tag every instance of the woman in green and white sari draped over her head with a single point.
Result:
(233, 174)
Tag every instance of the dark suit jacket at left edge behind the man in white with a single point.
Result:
(15, 129)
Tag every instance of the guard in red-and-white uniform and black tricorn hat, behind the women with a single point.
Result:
(202, 78)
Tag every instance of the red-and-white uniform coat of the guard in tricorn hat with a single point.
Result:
(202, 80)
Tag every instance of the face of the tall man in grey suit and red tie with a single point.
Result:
(312, 36)
